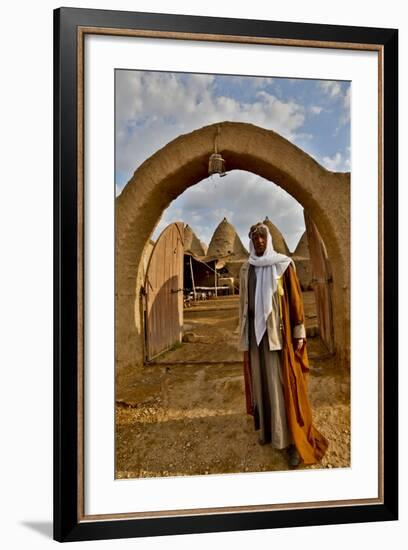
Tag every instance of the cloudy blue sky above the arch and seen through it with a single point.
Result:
(152, 108)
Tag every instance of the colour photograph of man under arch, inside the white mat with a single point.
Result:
(232, 273)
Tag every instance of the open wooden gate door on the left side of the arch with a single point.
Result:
(163, 291)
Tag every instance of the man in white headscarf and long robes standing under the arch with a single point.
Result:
(273, 337)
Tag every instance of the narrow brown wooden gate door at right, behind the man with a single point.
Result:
(322, 281)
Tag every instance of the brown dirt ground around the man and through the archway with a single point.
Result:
(185, 415)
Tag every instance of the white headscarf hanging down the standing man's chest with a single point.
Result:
(268, 268)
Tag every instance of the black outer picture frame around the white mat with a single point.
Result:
(68, 523)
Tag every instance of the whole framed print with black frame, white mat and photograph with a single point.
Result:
(225, 237)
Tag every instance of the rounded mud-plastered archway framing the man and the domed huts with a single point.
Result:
(183, 162)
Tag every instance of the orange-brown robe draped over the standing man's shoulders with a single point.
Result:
(310, 443)
